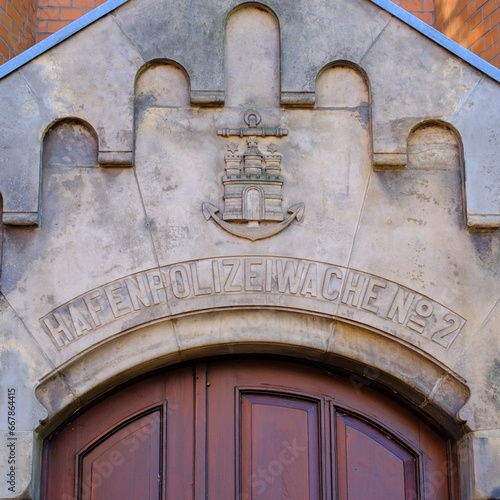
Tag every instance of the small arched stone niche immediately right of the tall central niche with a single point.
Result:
(342, 84)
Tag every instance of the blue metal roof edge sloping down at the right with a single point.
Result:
(439, 38)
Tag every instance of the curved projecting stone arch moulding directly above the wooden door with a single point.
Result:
(372, 358)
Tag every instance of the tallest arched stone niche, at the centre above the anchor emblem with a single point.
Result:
(252, 56)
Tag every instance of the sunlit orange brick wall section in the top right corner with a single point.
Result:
(475, 24)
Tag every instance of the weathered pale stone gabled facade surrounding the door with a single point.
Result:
(382, 148)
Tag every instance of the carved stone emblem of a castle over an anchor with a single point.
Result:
(253, 185)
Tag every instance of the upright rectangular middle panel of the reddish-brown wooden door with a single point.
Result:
(279, 447)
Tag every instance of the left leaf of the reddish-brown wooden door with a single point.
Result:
(100, 425)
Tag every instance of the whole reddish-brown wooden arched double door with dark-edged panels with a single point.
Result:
(247, 429)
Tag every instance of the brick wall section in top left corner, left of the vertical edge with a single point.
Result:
(17, 27)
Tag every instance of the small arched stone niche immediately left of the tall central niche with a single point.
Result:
(163, 83)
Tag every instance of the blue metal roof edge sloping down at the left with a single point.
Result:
(59, 36)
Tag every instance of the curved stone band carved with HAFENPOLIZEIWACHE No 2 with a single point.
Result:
(257, 282)
